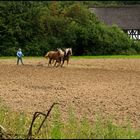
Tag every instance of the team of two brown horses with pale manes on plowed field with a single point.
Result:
(58, 56)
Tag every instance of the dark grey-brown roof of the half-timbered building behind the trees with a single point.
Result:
(126, 17)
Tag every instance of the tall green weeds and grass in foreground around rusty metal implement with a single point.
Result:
(55, 128)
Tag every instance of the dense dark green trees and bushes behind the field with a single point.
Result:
(41, 26)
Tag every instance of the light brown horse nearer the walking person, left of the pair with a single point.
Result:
(55, 55)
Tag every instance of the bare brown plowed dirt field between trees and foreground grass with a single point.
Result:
(110, 87)
